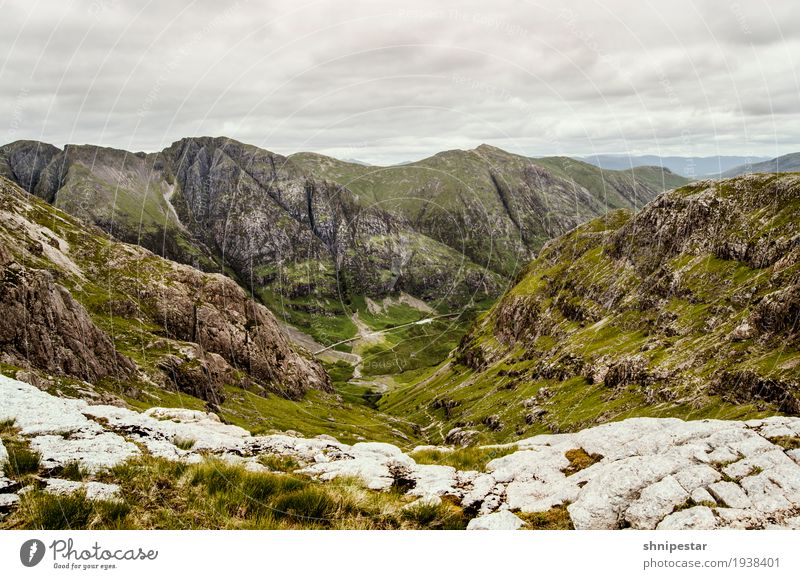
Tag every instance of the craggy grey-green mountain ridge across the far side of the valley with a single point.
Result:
(308, 234)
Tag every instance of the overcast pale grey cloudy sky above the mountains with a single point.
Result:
(395, 81)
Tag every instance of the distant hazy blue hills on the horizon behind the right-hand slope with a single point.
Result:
(691, 167)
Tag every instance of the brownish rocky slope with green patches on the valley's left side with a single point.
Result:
(76, 303)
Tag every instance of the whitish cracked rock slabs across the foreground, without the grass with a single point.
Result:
(642, 473)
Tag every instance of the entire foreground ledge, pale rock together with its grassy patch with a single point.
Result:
(98, 461)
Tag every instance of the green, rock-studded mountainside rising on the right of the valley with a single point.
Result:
(689, 308)
